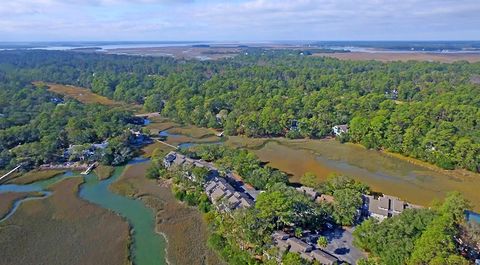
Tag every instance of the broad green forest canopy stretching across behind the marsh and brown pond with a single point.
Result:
(425, 110)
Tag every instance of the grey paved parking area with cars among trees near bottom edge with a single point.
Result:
(340, 244)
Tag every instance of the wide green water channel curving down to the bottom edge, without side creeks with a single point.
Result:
(148, 247)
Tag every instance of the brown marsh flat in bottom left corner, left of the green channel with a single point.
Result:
(63, 229)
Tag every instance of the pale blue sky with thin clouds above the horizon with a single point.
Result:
(238, 20)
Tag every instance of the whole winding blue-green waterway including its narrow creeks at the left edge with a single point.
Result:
(148, 247)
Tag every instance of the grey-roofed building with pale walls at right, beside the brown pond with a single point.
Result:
(384, 206)
